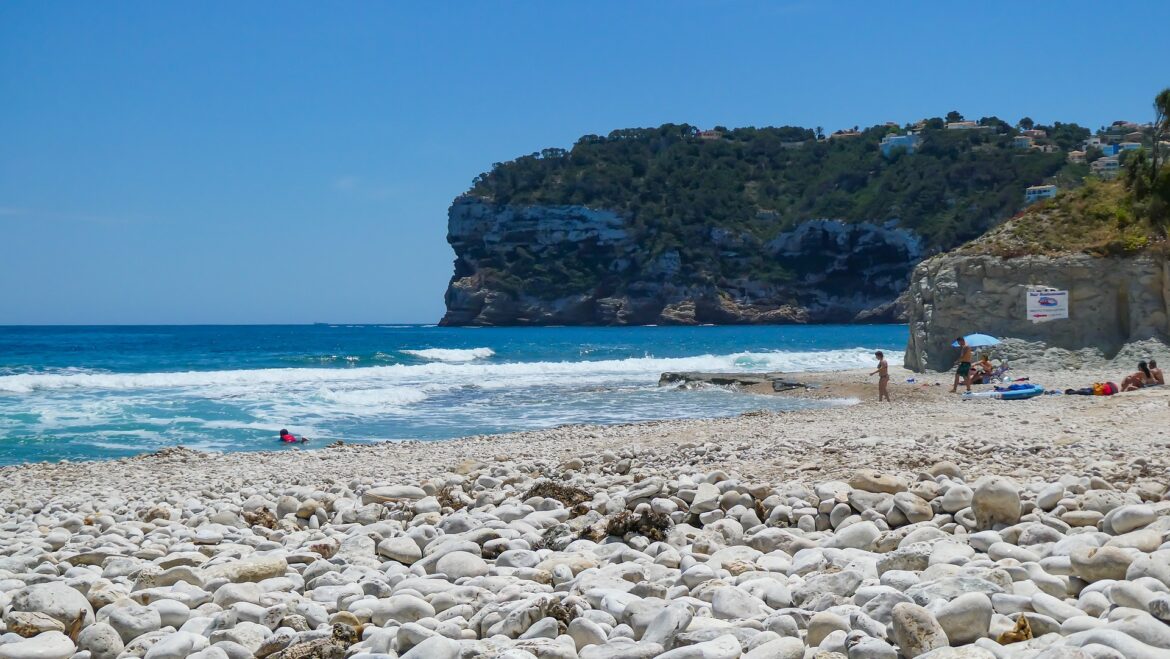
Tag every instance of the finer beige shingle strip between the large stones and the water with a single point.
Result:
(925, 424)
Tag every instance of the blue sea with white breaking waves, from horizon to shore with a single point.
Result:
(105, 393)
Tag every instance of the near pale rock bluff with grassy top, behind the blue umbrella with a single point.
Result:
(1114, 269)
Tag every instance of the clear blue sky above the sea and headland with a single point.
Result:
(293, 162)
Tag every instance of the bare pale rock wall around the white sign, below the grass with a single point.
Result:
(1113, 301)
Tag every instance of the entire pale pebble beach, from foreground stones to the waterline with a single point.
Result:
(928, 527)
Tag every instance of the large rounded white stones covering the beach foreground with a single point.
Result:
(600, 557)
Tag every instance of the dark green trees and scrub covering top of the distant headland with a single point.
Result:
(676, 186)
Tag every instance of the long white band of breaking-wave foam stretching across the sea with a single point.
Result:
(245, 383)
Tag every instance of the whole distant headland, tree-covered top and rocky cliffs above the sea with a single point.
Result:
(748, 226)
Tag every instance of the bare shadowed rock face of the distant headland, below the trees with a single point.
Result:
(572, 265)
